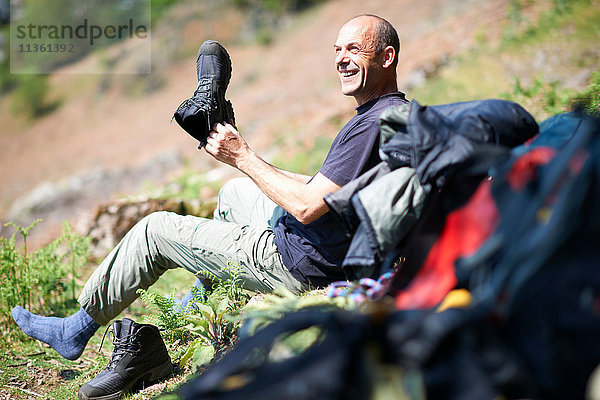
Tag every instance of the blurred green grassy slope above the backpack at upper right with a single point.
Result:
(550, 51)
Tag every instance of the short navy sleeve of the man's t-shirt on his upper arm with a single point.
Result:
(349, 156)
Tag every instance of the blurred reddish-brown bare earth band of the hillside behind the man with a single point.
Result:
(286, 88)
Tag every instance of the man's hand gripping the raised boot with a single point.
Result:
(225, 144)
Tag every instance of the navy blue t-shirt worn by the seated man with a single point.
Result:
(314, 252)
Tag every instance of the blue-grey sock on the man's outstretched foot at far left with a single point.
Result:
(68, 336)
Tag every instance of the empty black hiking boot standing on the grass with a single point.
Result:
(139, 357)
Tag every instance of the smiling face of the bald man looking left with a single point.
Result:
(360, 68)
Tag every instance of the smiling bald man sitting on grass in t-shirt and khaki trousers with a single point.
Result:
(274, 226)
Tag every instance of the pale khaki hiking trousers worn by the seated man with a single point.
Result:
(239, 235)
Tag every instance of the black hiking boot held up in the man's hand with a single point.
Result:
(207, 106)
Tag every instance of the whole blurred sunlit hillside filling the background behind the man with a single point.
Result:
(69, 142)
